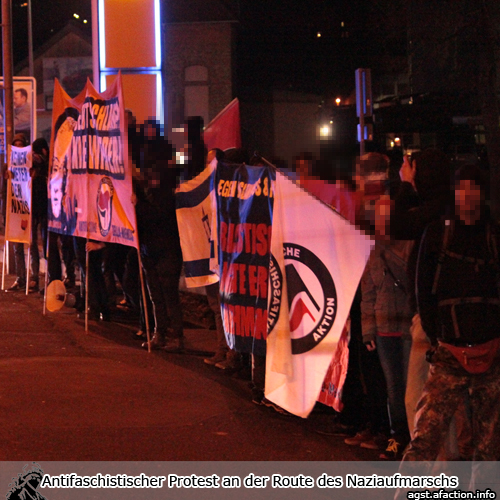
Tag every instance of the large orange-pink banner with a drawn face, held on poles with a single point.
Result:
(90, 180)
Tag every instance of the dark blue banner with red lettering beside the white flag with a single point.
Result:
(244, 221)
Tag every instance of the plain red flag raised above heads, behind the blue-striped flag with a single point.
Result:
(223, 131)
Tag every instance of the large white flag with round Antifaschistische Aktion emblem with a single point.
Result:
(318, 261)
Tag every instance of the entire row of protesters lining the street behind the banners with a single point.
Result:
(423, 380)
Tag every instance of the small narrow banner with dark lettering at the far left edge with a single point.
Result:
(18, 213)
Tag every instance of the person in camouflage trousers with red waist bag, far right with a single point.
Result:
(457, 293)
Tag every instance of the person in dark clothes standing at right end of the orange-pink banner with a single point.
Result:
(159, 239)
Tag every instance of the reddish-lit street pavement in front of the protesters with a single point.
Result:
(71, 394)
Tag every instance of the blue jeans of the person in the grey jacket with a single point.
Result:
(394, 354)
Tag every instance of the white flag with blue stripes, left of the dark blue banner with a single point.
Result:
(195, 206)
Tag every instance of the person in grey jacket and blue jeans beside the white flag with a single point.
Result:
(386, 319)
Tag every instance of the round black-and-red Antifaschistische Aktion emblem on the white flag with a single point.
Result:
(312, 297)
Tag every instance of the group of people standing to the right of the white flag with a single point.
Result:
(429, 308)
